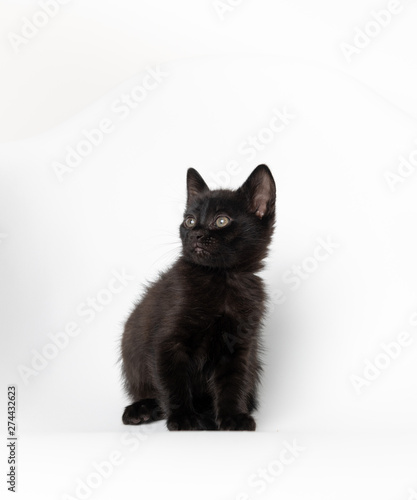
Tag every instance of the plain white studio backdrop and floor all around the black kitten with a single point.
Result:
(62, 237)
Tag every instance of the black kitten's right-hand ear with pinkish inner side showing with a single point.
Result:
(260, 192)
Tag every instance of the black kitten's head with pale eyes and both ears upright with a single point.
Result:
(227, 229)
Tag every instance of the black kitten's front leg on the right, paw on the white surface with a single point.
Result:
(233, 382)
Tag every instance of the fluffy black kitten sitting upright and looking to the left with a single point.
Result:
(190, 348)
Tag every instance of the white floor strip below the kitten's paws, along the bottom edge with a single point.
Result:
(221, 465)
